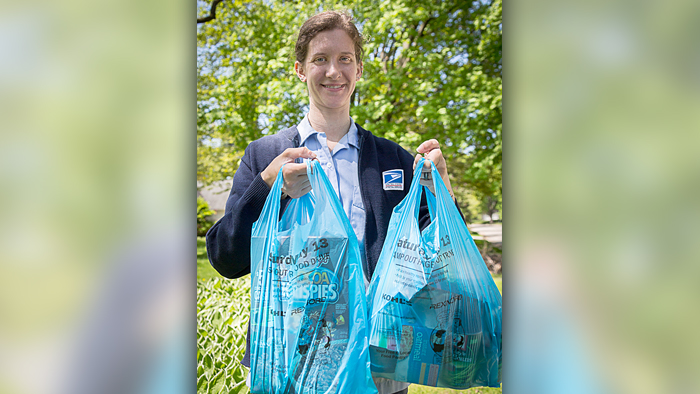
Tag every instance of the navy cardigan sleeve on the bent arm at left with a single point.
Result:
(228, 241)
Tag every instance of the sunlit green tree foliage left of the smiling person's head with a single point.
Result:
(245, 84)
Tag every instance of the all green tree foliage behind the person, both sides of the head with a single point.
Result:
(431, 70)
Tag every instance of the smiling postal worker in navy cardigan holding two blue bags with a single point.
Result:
(329, 61)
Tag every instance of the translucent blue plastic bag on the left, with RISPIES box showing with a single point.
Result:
(308, 310)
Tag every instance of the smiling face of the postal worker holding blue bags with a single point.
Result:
(330, 70)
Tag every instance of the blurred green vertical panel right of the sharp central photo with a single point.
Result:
(602, 131)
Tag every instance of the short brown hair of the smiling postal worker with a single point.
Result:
(325, 21)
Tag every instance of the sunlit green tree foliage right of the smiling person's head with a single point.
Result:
(434, 71)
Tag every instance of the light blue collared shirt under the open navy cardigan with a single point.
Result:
(341, 168)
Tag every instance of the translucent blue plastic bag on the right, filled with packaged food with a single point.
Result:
(435, 311)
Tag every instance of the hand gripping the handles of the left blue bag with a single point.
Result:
(296, 182)
